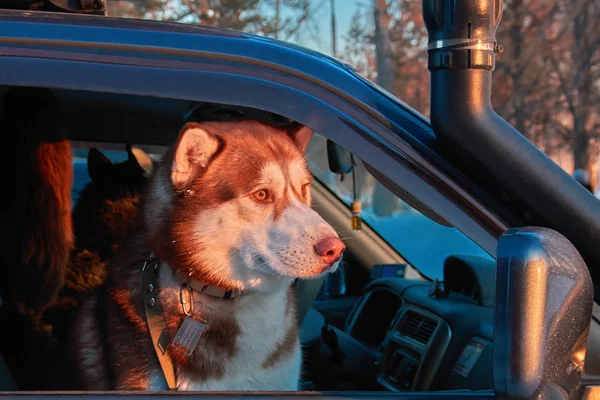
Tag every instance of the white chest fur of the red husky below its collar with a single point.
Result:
(263, 324)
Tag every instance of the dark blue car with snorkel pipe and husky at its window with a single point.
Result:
(471, 282)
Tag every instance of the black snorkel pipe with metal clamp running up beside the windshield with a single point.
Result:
(462, 52)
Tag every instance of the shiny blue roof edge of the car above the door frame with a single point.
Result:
(135, 36)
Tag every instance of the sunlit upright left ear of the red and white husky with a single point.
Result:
(194, 150)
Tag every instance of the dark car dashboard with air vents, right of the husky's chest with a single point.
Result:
(409, 335)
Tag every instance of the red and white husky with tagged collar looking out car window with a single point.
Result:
(202, 297)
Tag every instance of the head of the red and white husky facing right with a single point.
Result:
(230, 206)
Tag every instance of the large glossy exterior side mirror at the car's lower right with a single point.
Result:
(544, 298)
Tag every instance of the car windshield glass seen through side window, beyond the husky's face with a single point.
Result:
(424, 243)
